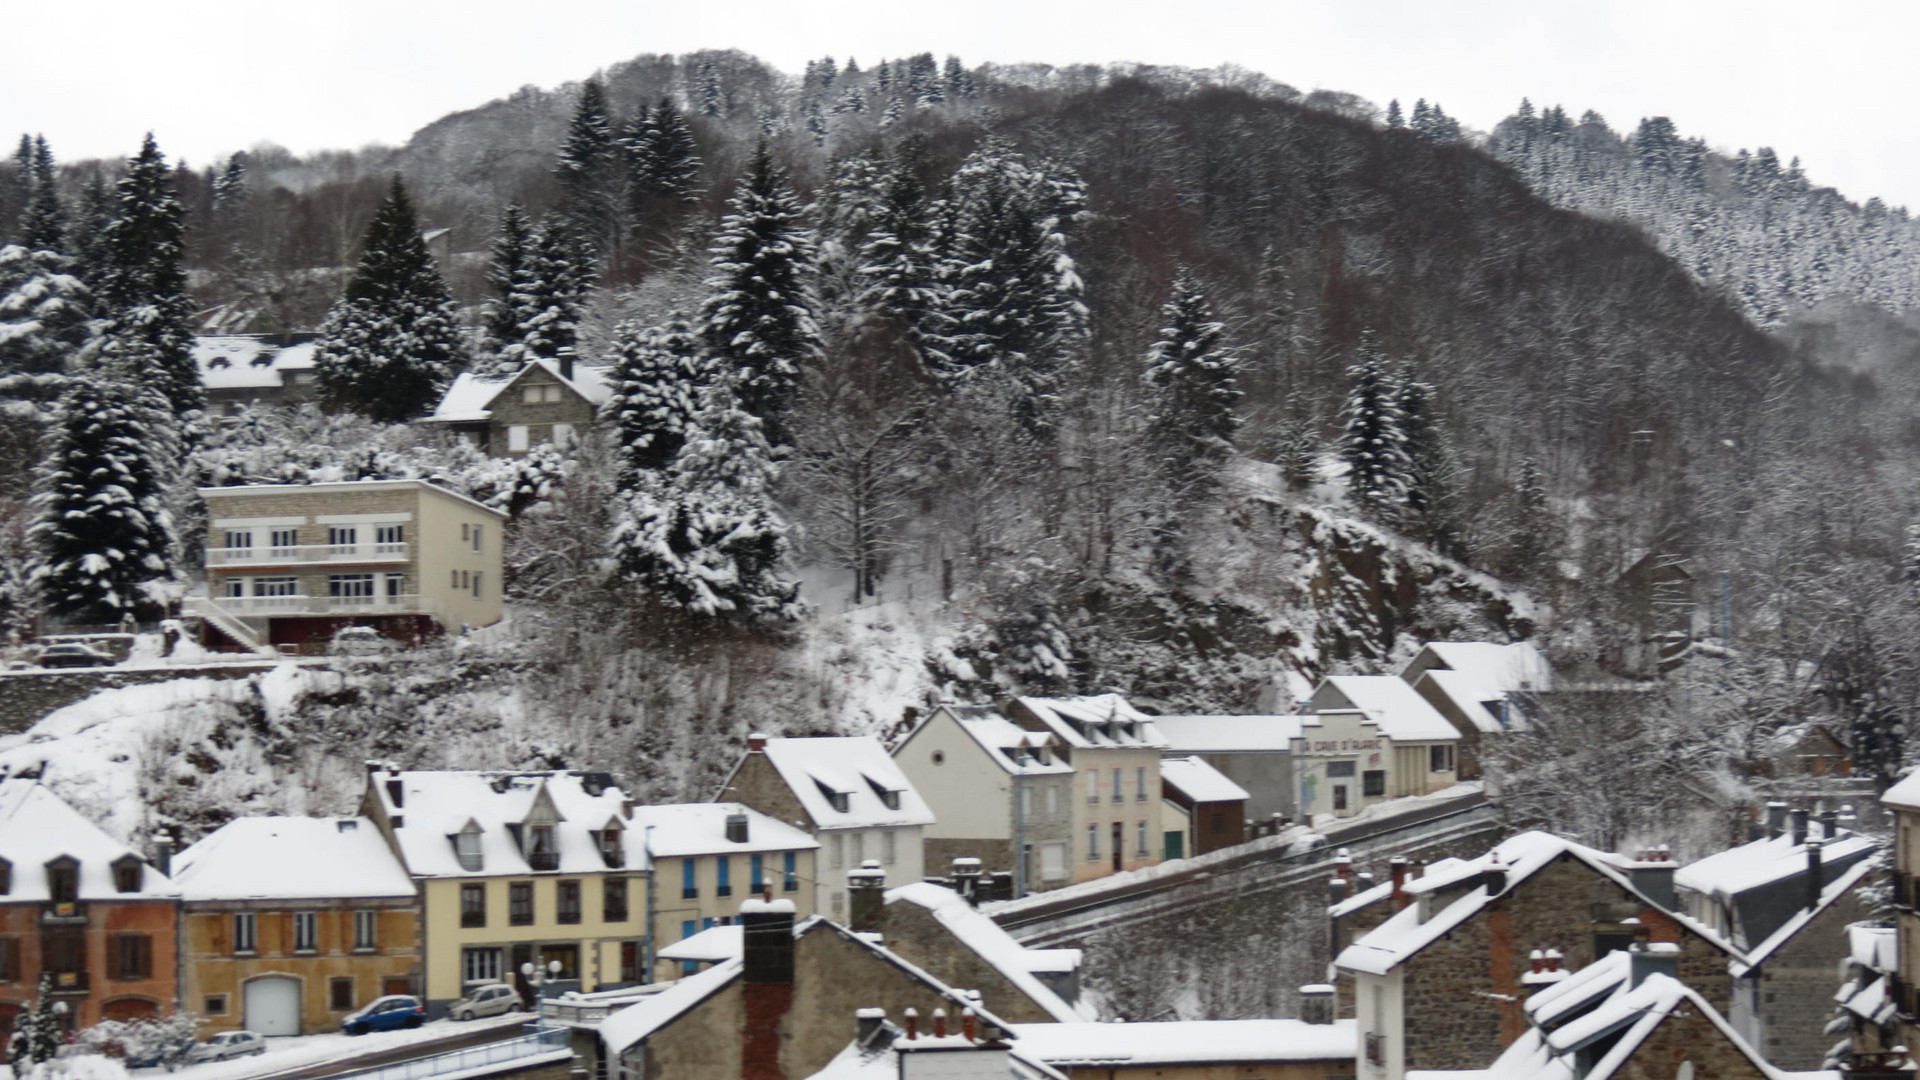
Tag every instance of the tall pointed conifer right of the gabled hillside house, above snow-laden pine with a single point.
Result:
(759, 320)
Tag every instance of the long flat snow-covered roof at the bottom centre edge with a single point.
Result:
(1186, 1043)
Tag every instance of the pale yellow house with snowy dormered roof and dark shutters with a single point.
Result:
(516, 870)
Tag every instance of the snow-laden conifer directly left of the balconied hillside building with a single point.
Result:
(101, 531)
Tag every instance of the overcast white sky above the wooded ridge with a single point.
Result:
(1829, 82)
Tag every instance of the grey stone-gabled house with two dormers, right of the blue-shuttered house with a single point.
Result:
(848, 795)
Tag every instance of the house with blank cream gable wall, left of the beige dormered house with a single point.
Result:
(996, 789)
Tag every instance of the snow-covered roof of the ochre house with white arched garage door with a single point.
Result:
(291, 858)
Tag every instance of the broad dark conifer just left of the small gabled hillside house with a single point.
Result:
(391, 345)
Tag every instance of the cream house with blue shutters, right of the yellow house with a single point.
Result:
(709, 856)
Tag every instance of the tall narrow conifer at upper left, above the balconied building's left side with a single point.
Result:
(143, 287)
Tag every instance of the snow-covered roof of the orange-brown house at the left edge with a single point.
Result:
(39, 827)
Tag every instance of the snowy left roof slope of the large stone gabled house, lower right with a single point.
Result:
(1404, 935)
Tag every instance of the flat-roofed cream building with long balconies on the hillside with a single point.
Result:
(289, 566)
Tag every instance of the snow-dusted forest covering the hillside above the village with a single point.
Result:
(1172, 383)
